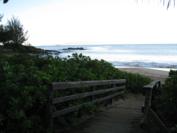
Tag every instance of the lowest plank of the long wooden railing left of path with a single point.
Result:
(77, 107)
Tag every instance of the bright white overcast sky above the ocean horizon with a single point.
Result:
(94, 21)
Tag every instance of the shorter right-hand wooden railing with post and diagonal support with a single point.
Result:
(151, 119)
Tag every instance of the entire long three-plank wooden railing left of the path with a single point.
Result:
(113, 88)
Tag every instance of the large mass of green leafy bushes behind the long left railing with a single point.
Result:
(24, 82)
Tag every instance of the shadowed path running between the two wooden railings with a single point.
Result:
(122, 117)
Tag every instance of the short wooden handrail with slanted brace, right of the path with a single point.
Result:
(148, 111)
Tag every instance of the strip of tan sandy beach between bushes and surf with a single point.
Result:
(154, 74)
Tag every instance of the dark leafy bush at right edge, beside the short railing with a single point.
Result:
(166, 102)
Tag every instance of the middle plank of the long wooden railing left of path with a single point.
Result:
(86, 94)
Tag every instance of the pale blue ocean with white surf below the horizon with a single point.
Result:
(155, 56)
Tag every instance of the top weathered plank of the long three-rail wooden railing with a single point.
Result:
(79, 84)
